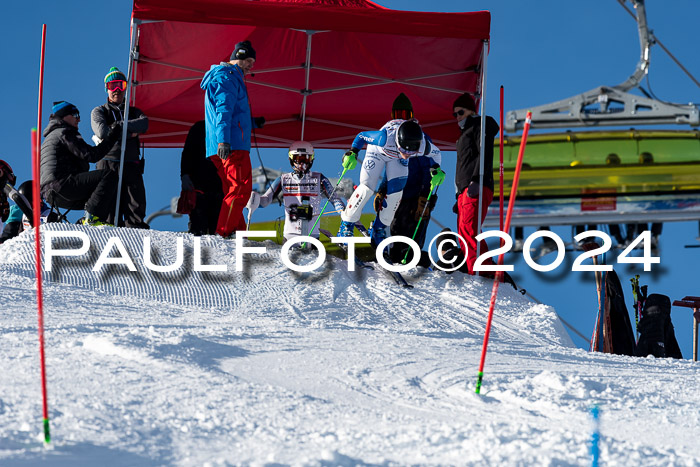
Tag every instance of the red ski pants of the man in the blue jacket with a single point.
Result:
(237, 184)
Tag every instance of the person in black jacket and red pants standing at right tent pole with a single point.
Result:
(467, 174)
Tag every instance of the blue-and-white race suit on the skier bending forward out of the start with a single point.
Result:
(382, 153)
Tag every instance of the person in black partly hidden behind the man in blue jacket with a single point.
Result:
(198, 174)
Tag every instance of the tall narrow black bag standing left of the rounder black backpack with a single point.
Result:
(622, 336)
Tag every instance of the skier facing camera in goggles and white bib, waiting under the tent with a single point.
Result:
(301, 191)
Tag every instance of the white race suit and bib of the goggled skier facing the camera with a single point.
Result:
(302, 201)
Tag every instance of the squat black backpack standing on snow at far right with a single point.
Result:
(656, 336)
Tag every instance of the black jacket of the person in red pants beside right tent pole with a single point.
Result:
(467, 169)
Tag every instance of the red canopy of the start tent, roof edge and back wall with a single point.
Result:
(360, 57)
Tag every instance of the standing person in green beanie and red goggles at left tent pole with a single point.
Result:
(132, 206)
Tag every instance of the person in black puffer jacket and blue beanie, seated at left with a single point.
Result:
(66, 179)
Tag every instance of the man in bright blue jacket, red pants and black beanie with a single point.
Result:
(229, 124)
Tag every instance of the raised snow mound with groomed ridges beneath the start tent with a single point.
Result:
(329, 296)
